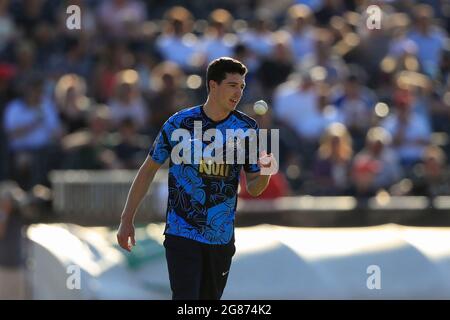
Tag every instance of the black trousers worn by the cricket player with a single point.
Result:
(197, 271)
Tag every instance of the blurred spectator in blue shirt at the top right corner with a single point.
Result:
(429, 38)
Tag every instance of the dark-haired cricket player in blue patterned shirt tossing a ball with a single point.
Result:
(199, 233)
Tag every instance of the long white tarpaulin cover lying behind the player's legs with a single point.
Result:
(271, 262)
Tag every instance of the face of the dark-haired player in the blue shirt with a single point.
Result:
(228, 93)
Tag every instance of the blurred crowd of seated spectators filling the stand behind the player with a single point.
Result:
(360, 110)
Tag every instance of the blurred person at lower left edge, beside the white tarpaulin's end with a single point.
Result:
(12, 262)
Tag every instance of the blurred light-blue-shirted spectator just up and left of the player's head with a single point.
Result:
(177, 43)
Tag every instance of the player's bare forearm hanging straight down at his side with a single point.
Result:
(137, 192)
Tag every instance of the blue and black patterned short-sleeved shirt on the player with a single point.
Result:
(203, 195)
